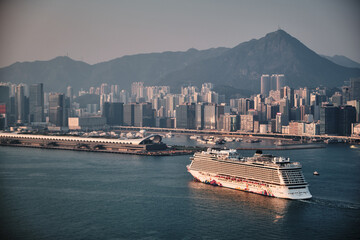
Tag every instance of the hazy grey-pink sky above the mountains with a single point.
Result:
(96, 31)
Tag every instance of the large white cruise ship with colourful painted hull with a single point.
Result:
(262, 174)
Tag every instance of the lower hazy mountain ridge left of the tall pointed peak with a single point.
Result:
(60, 72)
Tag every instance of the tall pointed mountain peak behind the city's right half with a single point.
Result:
(277, 52)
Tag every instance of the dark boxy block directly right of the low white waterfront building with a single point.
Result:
(113, 112)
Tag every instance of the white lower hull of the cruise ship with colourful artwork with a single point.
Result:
(272, 190)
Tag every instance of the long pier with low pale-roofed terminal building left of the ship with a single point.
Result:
(149, 146)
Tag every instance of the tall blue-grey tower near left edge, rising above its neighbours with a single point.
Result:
(36, 102)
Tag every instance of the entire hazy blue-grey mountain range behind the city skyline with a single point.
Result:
(233, 70)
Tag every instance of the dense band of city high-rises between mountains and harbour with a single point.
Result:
(278, 109)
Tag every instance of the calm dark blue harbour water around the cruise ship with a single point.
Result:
(54, 194)
